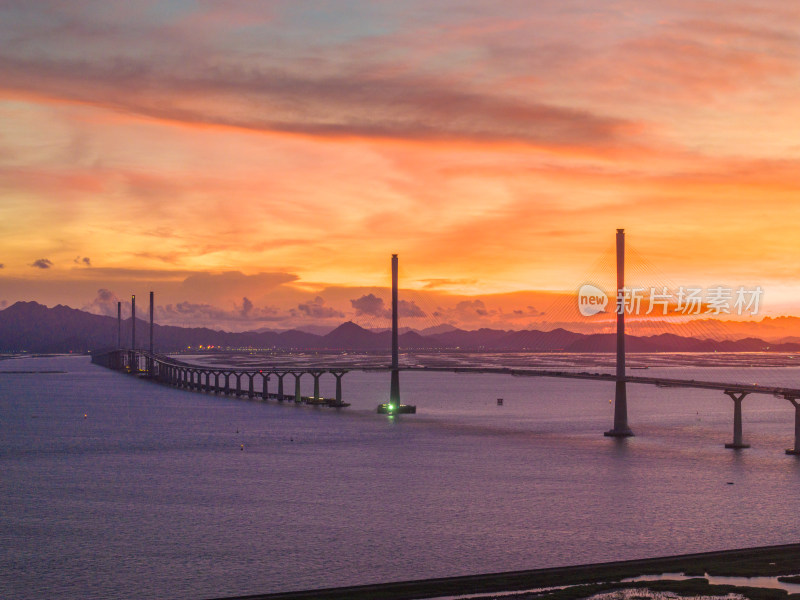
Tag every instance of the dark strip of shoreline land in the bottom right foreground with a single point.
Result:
(585, 580)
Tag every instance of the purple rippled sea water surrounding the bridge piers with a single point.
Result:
(115, 487)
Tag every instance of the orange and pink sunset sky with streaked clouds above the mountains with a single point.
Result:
(257, 163)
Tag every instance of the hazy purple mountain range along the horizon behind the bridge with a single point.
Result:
(32, 327)
